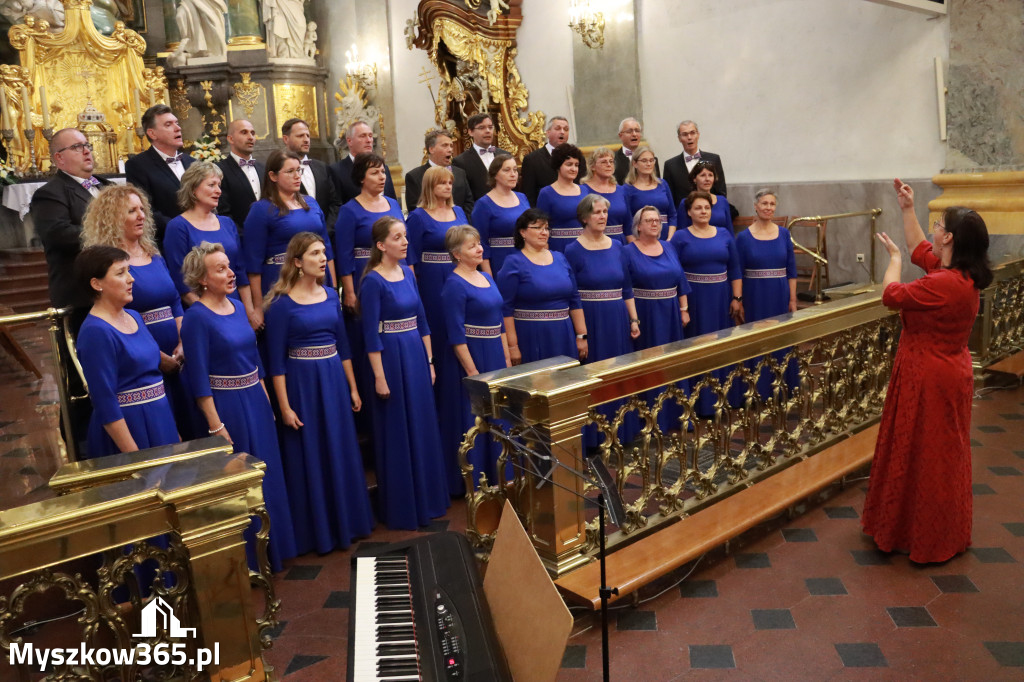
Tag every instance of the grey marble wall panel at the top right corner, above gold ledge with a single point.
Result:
(986, 80)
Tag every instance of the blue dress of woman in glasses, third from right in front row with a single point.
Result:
(658, 284)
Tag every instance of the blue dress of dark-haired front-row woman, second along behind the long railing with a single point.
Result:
(539, 299)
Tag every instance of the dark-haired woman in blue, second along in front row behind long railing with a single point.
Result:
(541, 301)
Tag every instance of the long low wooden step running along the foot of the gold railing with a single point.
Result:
(666, 550)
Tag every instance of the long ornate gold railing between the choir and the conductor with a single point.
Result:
(842, 351)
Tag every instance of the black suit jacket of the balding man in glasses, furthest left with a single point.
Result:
(57, 210)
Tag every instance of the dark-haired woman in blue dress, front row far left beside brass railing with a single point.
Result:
(121, 361)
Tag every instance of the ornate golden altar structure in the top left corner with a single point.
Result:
(81, 67)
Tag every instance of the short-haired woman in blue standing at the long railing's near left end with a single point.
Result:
(477, 332)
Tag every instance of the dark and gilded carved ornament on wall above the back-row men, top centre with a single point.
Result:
(475, 53)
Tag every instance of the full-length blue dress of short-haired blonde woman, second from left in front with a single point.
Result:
(224, 364)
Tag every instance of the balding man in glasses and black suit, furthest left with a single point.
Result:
(58, 209)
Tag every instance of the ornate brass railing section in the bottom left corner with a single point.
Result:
(81, 550)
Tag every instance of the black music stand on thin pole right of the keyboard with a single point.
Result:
(609, 501)
